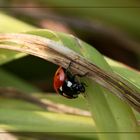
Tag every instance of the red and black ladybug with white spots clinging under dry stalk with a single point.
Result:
(66, 84)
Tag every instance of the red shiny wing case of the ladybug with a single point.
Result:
(59, 79)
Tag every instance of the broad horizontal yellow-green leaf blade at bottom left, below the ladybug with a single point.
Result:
(39, 121)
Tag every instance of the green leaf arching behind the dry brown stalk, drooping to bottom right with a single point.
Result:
(109, 112)
